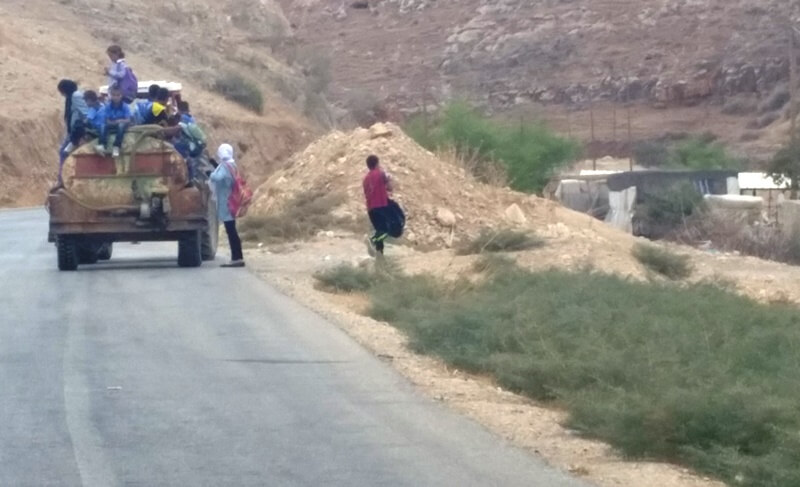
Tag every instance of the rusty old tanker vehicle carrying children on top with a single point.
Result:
(142, 196)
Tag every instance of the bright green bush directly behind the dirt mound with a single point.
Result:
(530, 152)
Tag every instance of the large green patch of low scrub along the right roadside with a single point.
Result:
(695, 375)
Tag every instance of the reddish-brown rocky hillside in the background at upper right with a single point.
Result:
(516, 55)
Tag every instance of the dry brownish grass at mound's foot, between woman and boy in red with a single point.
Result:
(303, 217)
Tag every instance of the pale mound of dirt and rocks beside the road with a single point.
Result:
(444, 204)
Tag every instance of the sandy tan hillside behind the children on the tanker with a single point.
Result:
(42, 41)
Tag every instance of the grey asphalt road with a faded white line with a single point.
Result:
(138, 373)
